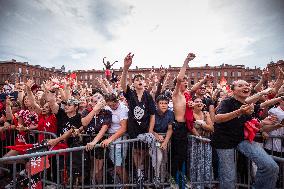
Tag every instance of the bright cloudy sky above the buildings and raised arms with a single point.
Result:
(78, 34)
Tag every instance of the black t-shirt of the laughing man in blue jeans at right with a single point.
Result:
(228, 135)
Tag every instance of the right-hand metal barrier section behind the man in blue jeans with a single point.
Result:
(203, 163)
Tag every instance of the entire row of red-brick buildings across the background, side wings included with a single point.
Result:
(21, 71)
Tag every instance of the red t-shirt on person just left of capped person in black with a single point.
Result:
(47, 124)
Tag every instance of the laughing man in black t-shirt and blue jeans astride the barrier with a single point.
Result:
(228, 135)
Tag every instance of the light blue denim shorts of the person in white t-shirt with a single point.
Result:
(117, 153)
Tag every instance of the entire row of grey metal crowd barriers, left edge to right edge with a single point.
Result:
(115, 167)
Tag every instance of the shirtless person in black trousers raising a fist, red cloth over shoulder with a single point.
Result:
(183, 117)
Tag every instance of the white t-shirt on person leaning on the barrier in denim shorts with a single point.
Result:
(118, 115)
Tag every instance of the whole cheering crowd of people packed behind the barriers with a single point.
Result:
(145, 108)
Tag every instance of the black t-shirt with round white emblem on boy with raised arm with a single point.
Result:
(139, 112)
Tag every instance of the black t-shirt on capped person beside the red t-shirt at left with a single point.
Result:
(65, 123)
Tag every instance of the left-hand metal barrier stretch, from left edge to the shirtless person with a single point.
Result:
(77, 168)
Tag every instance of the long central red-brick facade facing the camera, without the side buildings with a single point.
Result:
(229, 72)
